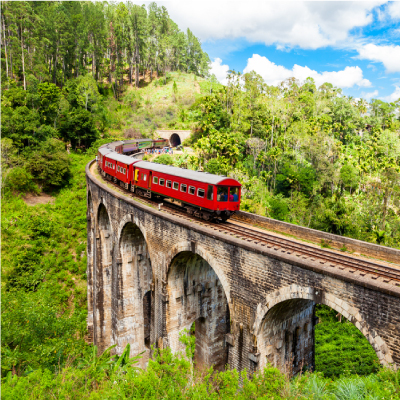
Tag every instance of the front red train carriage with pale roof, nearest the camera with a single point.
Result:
(202, 194)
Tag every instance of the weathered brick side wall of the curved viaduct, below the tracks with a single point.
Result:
(252, 278)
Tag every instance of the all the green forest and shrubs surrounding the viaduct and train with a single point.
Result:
(78, 74)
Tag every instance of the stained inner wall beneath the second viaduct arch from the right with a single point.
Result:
(195, 294)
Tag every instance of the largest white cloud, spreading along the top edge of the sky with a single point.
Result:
(310, 25)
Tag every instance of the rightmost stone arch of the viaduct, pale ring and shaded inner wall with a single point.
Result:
(284, 327)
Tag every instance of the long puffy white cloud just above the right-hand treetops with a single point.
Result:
(274, 74)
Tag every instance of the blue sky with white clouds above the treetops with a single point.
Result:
(353, 45)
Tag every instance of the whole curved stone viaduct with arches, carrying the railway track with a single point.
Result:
(153, 272)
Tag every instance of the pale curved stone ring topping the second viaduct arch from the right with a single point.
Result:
(199, 250)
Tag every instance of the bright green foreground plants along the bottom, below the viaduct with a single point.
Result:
(170, 376)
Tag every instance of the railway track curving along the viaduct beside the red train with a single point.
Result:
(283, 245)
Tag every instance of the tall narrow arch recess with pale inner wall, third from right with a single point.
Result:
(134, 278)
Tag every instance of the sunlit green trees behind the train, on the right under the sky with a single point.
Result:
(305, 154)
